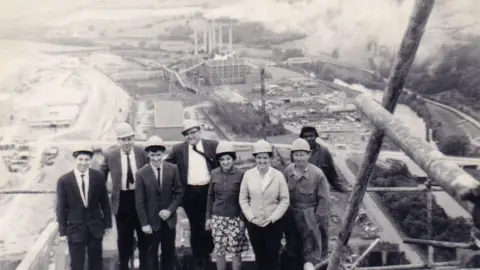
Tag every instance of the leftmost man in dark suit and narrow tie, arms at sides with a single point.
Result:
(83, 211)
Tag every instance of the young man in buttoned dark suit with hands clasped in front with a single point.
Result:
(158, 193)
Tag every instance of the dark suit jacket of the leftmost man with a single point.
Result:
(74, 219)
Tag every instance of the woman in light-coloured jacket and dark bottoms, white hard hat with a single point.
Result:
(264, 199)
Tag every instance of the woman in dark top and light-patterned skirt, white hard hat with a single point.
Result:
(224, 215)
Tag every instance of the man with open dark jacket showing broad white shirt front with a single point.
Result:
(195, 159)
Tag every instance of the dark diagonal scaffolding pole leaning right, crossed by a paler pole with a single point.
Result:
(396, 81)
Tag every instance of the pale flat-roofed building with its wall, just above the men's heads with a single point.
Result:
(169, 117)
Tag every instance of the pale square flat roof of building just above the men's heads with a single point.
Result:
(168, 114)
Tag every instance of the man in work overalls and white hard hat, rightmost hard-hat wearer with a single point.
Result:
(307, 218)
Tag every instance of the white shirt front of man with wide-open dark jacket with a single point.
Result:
(198, 173)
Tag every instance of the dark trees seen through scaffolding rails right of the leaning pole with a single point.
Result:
(409, 210)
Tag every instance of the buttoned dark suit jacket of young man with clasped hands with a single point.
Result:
(150, 198)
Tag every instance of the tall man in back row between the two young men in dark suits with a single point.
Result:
(122, 163)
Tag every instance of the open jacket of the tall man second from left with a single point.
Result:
(113, 164)
